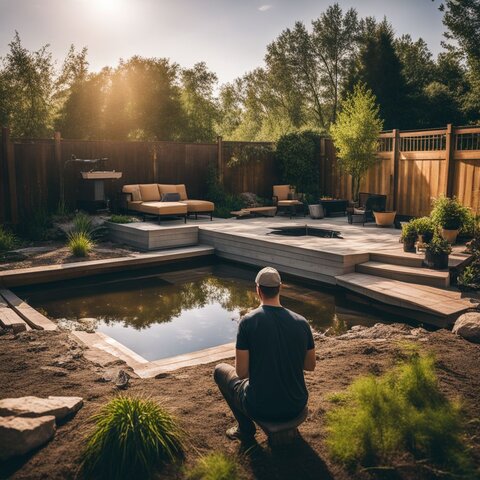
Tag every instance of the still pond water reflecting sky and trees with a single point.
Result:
(162, 313)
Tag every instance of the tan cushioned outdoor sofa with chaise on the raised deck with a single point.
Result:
(156, 199)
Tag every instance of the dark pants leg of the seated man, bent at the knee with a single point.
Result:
(233, 388)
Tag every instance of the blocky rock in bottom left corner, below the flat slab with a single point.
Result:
(19, 435)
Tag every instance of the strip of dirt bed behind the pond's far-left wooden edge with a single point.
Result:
(57, 253)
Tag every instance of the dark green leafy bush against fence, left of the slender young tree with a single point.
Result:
(298, 158)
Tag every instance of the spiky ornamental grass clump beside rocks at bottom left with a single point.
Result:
(132, 436)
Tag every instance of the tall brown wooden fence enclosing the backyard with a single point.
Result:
(413, 167)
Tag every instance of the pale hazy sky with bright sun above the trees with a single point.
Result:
(229, 35)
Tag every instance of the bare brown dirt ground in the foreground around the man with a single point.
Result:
(51, 363)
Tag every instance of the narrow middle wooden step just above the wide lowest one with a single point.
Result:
(403, 273)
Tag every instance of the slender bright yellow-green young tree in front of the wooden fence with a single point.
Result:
(355, 134)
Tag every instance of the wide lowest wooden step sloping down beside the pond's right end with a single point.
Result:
(446, 304)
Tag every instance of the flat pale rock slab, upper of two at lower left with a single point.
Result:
(59, 407)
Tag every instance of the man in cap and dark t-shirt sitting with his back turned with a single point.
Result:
(274, 346)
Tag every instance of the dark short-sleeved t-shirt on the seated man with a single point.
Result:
(277, 340)
